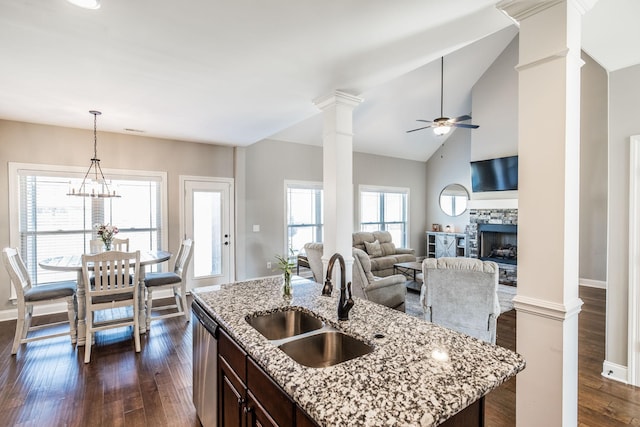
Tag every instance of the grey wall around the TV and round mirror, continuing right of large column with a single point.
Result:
(495, 106)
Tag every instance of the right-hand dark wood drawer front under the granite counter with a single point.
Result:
(274, 400)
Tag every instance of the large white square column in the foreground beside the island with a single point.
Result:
(547, 302)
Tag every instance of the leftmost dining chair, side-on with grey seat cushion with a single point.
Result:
(30, 295)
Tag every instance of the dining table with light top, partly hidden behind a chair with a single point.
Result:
(74, 263)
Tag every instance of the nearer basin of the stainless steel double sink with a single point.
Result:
(325, 349)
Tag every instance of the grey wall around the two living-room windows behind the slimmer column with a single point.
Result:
(269, 163)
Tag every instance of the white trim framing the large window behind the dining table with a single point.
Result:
(16, 169)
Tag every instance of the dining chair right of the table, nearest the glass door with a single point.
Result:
(174, 280)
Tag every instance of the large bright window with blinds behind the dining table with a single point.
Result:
(45, 222)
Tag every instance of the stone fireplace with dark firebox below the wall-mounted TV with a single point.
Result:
(493, 236)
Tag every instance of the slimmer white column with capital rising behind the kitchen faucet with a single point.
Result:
(337, 172)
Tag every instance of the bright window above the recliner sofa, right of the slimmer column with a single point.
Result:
(385, 209)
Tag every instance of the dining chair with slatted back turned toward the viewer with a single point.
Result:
(112, 279)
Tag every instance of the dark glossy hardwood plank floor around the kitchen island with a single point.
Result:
(48, 383)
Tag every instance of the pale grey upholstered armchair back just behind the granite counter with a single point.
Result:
(461, 294)
